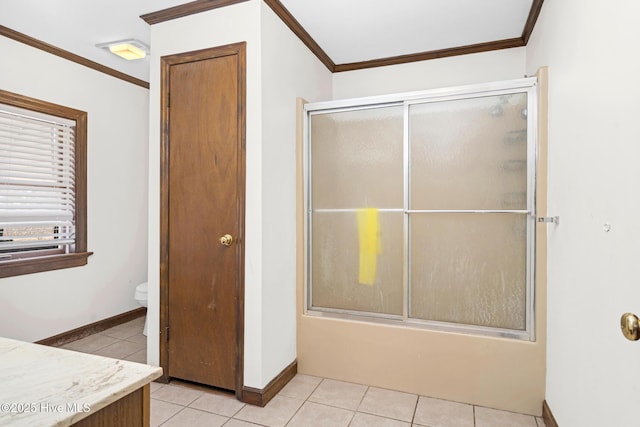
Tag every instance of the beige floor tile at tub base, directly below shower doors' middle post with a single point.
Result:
(389, 404)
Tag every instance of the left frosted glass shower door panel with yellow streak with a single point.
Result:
(356, 211)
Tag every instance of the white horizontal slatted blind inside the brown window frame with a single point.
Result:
(37, 181)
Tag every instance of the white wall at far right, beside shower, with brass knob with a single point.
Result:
(590, 47)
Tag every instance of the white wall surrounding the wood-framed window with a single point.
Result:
(37, 306)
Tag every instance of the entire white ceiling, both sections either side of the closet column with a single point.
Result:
(347, 30)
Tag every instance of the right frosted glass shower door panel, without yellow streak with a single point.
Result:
(468, 216)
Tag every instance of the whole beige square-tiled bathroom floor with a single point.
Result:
(305, 402)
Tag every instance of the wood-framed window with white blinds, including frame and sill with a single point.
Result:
(42, 186)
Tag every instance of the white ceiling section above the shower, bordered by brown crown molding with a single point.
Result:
(360, 30)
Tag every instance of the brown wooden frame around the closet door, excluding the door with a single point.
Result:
(238, 49)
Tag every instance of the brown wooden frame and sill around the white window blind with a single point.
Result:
(47, 261)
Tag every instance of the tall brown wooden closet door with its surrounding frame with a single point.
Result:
(203, 200)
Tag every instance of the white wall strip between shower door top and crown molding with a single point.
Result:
(444, 72)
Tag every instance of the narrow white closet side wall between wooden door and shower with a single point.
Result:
(289, 70)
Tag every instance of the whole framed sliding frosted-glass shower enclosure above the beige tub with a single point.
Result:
(421, 209)
